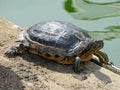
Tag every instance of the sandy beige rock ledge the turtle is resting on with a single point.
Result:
(31, 72)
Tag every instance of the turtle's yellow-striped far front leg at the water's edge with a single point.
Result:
(103, 58)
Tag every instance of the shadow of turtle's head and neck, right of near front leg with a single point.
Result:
(91, 67)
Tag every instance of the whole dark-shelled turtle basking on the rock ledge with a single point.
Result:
(59, 41)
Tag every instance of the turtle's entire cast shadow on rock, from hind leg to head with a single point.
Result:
(88, 67)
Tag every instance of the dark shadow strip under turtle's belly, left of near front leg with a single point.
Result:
(49, 64)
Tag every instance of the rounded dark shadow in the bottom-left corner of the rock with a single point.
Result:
(9, 80)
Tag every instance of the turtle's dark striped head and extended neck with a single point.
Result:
(93, 46)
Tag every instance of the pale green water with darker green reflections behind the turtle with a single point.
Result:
(100, 18)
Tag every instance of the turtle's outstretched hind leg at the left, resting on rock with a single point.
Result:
(15, 50)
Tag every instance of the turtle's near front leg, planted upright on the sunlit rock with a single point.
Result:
(77, 67)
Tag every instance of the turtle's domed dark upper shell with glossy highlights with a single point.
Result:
(57, 37)
